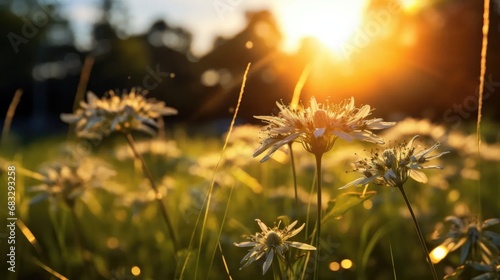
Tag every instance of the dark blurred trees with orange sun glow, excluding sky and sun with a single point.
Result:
(436, 78)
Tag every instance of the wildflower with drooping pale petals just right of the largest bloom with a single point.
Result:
(393, 166)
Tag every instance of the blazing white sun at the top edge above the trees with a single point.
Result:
(332, 22)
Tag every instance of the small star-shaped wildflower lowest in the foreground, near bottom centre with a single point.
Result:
(269, 242)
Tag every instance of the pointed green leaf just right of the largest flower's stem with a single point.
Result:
(345, 201)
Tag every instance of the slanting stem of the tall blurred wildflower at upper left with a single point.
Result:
(158, 195)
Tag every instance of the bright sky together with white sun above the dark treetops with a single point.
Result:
(330, 20)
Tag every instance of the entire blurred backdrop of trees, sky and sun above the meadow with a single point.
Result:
(405, 58)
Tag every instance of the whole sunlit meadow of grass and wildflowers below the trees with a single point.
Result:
(88, 209)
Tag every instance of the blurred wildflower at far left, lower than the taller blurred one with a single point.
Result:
(69, 182)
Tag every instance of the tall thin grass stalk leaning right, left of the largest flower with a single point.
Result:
(210, 191)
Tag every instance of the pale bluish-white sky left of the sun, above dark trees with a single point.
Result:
(205, 19)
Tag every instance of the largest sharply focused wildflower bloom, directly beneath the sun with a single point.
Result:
(318, 126)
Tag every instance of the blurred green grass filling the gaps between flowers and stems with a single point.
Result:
(381, 241)
